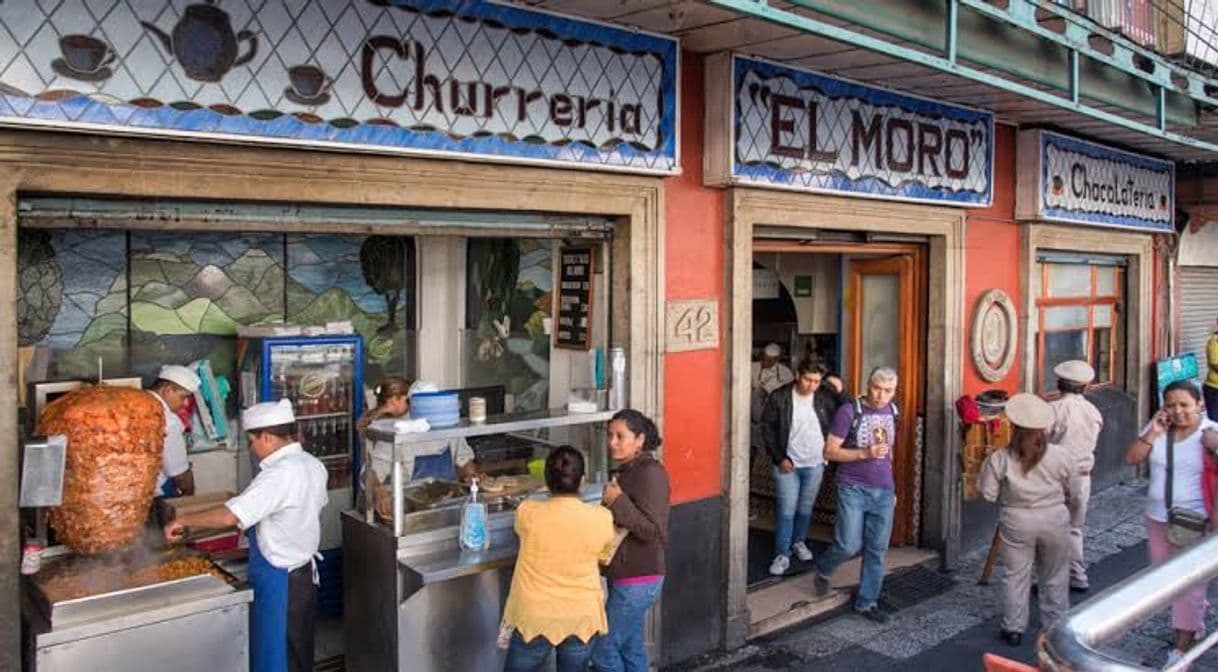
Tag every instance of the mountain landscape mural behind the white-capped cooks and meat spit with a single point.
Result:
(189, 294)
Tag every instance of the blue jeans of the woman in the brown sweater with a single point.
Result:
(624, 649)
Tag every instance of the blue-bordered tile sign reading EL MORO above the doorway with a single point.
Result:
(801, 131)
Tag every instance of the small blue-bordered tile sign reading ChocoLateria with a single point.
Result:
(1066, 180)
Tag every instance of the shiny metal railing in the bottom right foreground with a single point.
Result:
(1075, 643)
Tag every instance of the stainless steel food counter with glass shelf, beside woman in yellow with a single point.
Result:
(414, 600)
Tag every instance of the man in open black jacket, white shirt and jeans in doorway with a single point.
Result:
(794, 428)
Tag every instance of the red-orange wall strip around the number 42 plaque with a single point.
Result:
(695, 383)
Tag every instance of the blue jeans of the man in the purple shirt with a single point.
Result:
(864, 523)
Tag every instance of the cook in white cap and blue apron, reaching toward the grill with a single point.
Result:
(281, 513)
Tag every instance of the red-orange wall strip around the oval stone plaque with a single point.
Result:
(992, 259)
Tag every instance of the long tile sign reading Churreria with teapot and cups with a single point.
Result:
(471, 79)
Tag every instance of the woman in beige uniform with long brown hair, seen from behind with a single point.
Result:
(1037, 485)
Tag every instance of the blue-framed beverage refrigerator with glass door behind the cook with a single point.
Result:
(323, 377)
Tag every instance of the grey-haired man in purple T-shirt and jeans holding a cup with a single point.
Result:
(862, 440)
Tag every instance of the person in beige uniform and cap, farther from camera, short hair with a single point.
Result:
(1077, 425)
